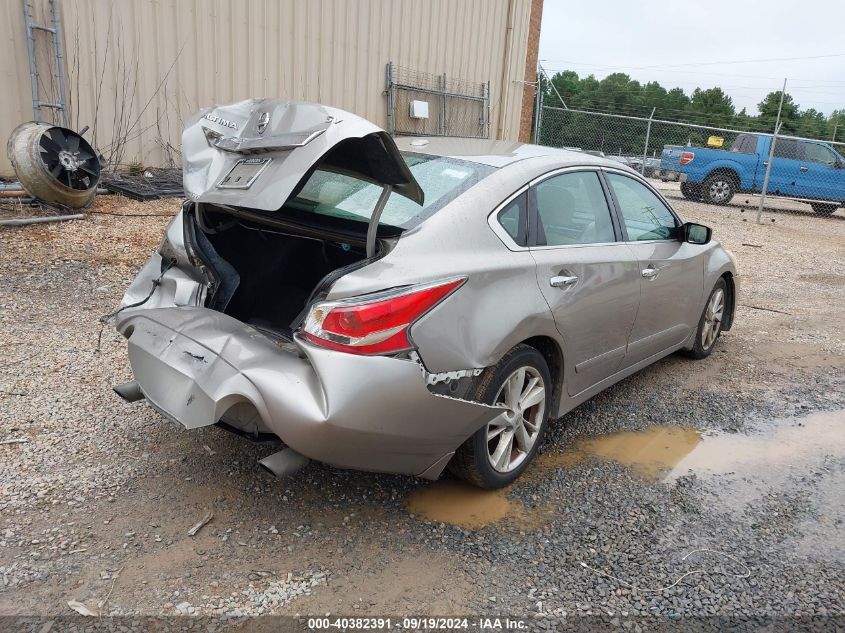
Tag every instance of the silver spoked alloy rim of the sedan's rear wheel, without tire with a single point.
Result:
(511, 436)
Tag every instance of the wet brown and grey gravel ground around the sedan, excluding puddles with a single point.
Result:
(96, 504)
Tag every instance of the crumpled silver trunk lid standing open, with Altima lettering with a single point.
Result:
(254, 153)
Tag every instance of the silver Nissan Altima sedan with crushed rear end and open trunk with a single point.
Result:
(407, 305)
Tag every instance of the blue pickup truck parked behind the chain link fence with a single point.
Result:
(811, 171)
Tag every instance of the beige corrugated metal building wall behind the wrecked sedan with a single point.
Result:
(136, 68)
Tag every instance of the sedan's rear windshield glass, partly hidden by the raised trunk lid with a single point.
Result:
(341, 196)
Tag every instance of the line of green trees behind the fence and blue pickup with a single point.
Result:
(618, 93)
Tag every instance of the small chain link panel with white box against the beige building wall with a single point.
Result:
(425, 104)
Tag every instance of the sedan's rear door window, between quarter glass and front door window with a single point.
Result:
(572, 209)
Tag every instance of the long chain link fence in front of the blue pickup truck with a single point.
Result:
(706, 163)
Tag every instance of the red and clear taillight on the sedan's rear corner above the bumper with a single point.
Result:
(374, 324)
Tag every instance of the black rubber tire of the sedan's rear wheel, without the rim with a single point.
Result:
(471, 461)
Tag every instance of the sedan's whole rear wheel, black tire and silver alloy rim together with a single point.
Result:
(497, 453)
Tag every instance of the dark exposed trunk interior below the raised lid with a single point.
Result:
(265, 275)
